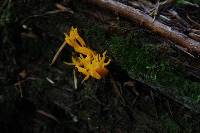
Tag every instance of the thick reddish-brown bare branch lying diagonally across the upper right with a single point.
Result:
(147, 21)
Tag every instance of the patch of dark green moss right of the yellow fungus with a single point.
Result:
(146, 61)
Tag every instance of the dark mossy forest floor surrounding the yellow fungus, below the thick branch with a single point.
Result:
(149, 88)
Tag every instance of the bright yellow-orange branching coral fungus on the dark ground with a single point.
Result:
(88, 62)
